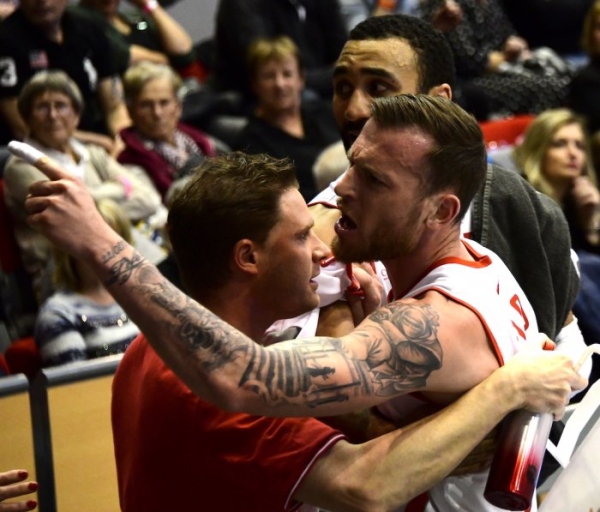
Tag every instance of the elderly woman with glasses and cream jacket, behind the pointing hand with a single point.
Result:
(51, 104)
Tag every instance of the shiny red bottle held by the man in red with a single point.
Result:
(517, 462)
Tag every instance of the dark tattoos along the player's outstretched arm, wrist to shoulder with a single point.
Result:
(393, 353)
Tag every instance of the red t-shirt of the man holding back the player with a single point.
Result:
(175, 451)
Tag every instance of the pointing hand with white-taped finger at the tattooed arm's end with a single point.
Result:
(62, 208)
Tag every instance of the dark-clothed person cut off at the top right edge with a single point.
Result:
(584, 94)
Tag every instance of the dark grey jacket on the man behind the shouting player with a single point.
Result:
(529, 232)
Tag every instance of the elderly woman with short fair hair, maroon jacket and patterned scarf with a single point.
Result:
(157, 141)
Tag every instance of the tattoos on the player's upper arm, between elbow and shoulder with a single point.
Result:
(401, 350)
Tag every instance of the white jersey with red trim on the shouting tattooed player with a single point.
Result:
(487, 288)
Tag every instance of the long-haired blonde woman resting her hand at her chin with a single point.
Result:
(554, 158)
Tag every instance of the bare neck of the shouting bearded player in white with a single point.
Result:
(406, 270)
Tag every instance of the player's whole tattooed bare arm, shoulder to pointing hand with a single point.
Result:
(400, 348)
